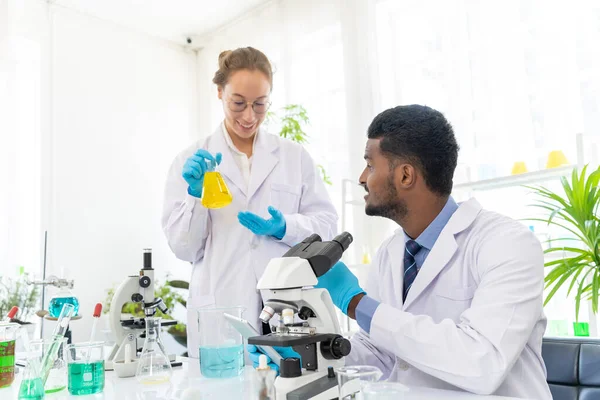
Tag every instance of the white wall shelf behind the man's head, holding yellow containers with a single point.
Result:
(526, 178)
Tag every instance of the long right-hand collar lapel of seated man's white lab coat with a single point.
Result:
(443, 249)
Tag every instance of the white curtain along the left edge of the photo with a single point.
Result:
(22, 50)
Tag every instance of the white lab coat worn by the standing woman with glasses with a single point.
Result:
(228, 258)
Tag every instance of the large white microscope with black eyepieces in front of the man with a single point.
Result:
(287, 284)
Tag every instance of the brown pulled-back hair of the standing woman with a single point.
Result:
(248, 58)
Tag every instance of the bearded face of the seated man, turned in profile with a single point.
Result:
(380, 179)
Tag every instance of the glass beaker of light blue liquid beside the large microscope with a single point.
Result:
(221, 345)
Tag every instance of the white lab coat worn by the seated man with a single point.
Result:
(473, 318)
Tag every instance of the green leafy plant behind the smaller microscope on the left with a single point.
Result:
(170, 297)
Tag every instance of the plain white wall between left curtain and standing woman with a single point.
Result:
(122, 107)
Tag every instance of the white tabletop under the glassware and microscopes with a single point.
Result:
(189, 376)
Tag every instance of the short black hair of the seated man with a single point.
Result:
(420, 135)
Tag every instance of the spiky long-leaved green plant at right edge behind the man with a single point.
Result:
(574, 210)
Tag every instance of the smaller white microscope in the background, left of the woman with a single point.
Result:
(137, 289)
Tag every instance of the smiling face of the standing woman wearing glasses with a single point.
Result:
(244, 87)
